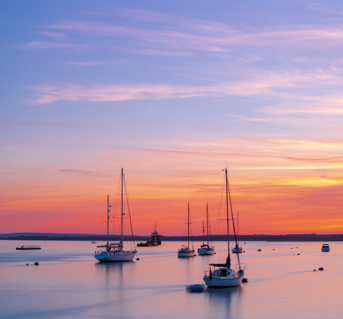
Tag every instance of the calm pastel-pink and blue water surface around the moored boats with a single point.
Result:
(69, 283)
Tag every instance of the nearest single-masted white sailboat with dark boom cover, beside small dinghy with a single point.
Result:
(223, 275)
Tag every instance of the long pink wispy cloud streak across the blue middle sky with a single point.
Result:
(270, 84)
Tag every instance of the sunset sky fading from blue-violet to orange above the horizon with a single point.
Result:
(173, 92)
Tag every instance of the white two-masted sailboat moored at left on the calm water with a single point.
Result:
(115, 251)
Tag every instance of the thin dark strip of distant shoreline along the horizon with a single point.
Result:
(241, 238)
